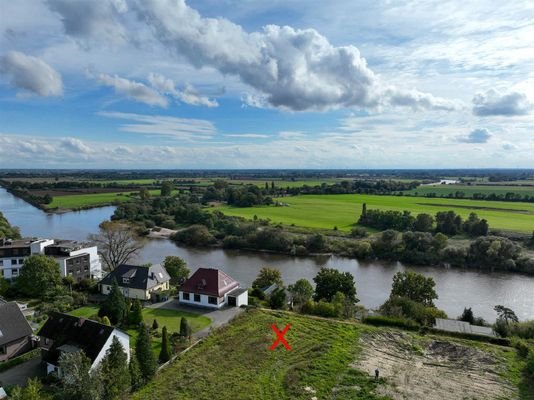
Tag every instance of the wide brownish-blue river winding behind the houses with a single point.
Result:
(456, 288)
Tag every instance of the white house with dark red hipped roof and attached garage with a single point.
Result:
(211, 287)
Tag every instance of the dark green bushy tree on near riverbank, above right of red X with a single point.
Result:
(329, 281)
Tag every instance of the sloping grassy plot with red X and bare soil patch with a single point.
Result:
(333, 360)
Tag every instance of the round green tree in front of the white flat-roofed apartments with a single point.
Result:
(39, 275)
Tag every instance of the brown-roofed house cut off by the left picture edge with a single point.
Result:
(16, 335)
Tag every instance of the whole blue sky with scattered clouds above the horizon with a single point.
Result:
(266, 84)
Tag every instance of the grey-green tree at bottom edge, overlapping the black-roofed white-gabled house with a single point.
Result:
(78, 381)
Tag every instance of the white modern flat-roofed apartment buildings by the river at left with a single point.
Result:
(80, 260)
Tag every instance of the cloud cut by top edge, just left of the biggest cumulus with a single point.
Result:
(86, 19)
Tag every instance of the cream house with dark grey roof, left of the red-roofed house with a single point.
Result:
(137, 281)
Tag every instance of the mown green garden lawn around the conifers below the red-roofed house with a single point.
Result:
(168, 318)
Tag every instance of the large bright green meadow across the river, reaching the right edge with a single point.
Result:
(327, 211)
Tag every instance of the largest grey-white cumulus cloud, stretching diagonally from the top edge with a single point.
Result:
(294, 69)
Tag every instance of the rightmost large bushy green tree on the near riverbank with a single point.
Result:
(415, 287)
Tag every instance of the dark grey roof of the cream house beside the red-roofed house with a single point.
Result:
(138, 276)
